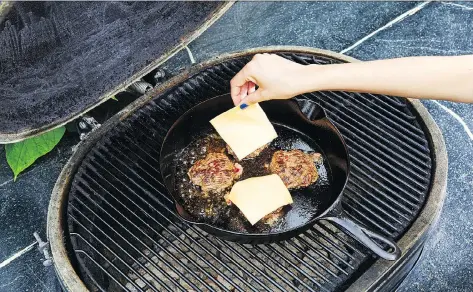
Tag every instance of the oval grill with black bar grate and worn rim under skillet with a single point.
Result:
(111, 224)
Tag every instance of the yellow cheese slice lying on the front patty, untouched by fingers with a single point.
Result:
(256, 197)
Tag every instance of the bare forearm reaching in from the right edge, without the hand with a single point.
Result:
(448, 78)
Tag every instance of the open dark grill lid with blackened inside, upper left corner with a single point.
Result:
(60, 59)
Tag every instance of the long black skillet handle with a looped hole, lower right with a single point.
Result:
(366, 236)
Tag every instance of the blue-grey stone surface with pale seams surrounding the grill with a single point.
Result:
(439, 28)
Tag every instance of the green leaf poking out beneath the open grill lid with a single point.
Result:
(22, 154)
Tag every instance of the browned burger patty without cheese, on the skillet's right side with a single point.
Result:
(296, 169)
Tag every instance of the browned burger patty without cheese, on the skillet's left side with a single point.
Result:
(214, 173)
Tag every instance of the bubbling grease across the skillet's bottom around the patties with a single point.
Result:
(212, 208)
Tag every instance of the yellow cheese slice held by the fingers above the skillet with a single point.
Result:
(244, 130)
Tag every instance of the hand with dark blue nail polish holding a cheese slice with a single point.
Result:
(276, 77)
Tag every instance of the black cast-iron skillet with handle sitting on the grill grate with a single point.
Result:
(306, 120)
